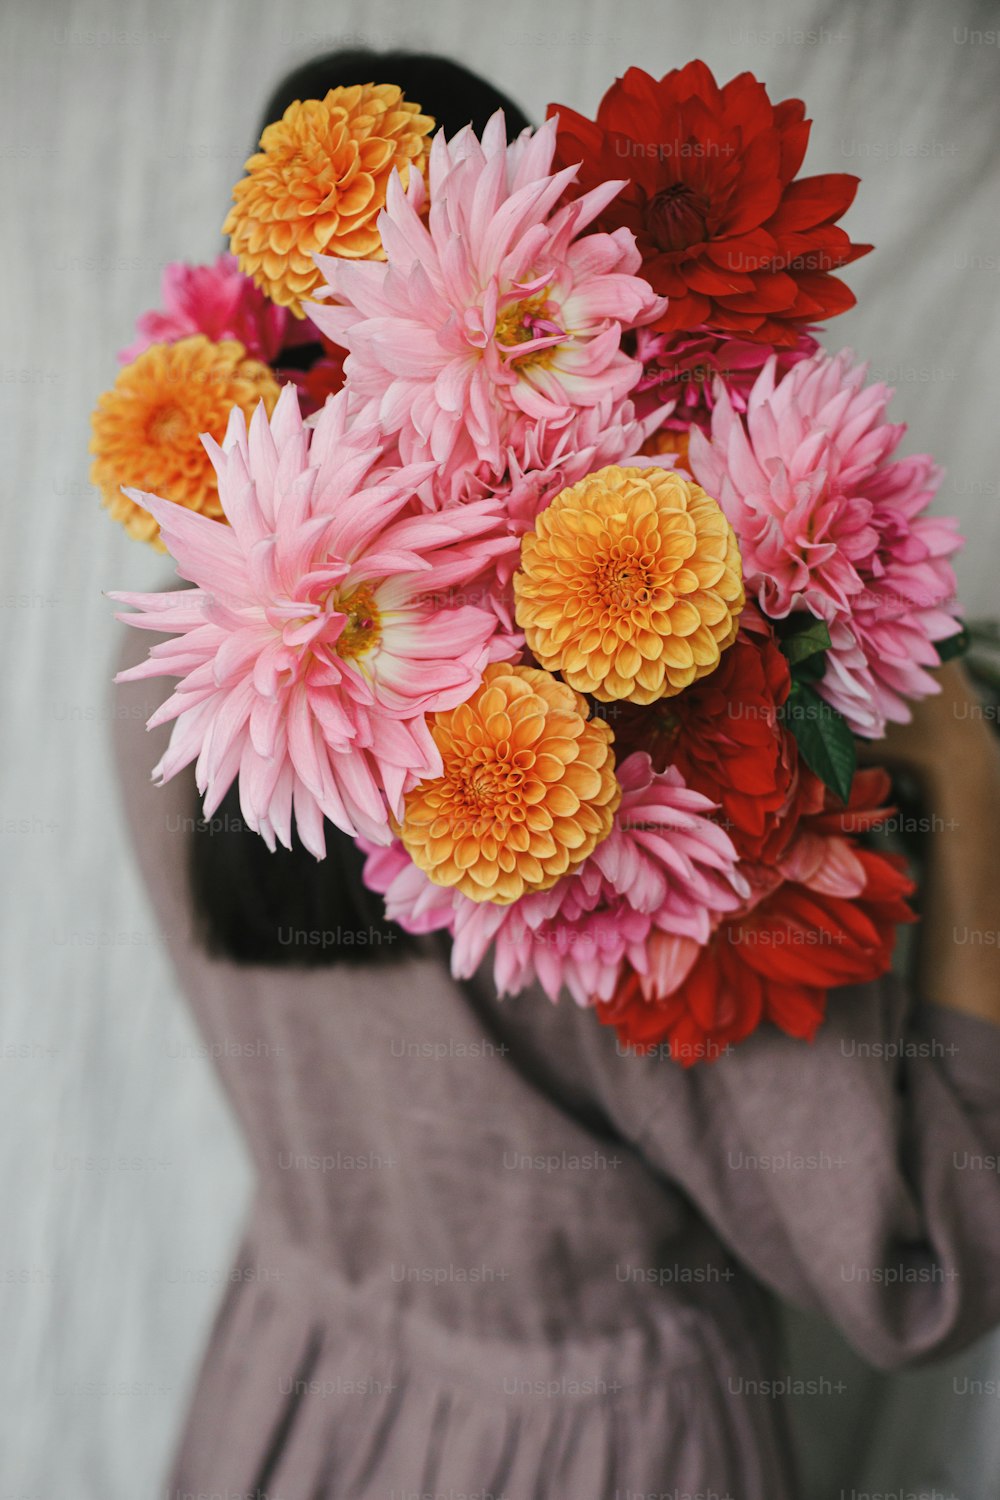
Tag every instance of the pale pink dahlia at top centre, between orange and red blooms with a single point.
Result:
(494, 316)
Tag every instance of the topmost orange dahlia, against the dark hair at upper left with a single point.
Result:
(319, 185)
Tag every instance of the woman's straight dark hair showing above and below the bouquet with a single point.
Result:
(287, 908)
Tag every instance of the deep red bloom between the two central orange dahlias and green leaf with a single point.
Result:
(726, 739)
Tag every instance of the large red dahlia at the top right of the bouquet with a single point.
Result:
(723, 229)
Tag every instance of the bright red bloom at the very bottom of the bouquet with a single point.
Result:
(777, 961)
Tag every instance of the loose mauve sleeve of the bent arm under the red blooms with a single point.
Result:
(857, 1175)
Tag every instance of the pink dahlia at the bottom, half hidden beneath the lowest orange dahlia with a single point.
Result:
(665, 868)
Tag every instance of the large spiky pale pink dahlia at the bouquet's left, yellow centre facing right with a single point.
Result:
(308, 655)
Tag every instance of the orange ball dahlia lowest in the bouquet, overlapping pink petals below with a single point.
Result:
(527, 793)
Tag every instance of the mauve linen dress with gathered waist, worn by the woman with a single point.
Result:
(494, 1256)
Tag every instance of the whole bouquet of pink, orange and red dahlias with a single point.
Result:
(539, 547)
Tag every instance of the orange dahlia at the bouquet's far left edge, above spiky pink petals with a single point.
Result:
(146, 431)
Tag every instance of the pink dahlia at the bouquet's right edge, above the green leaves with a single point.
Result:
(830, 523)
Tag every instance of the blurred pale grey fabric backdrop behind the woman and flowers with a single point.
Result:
(122, 1175)
